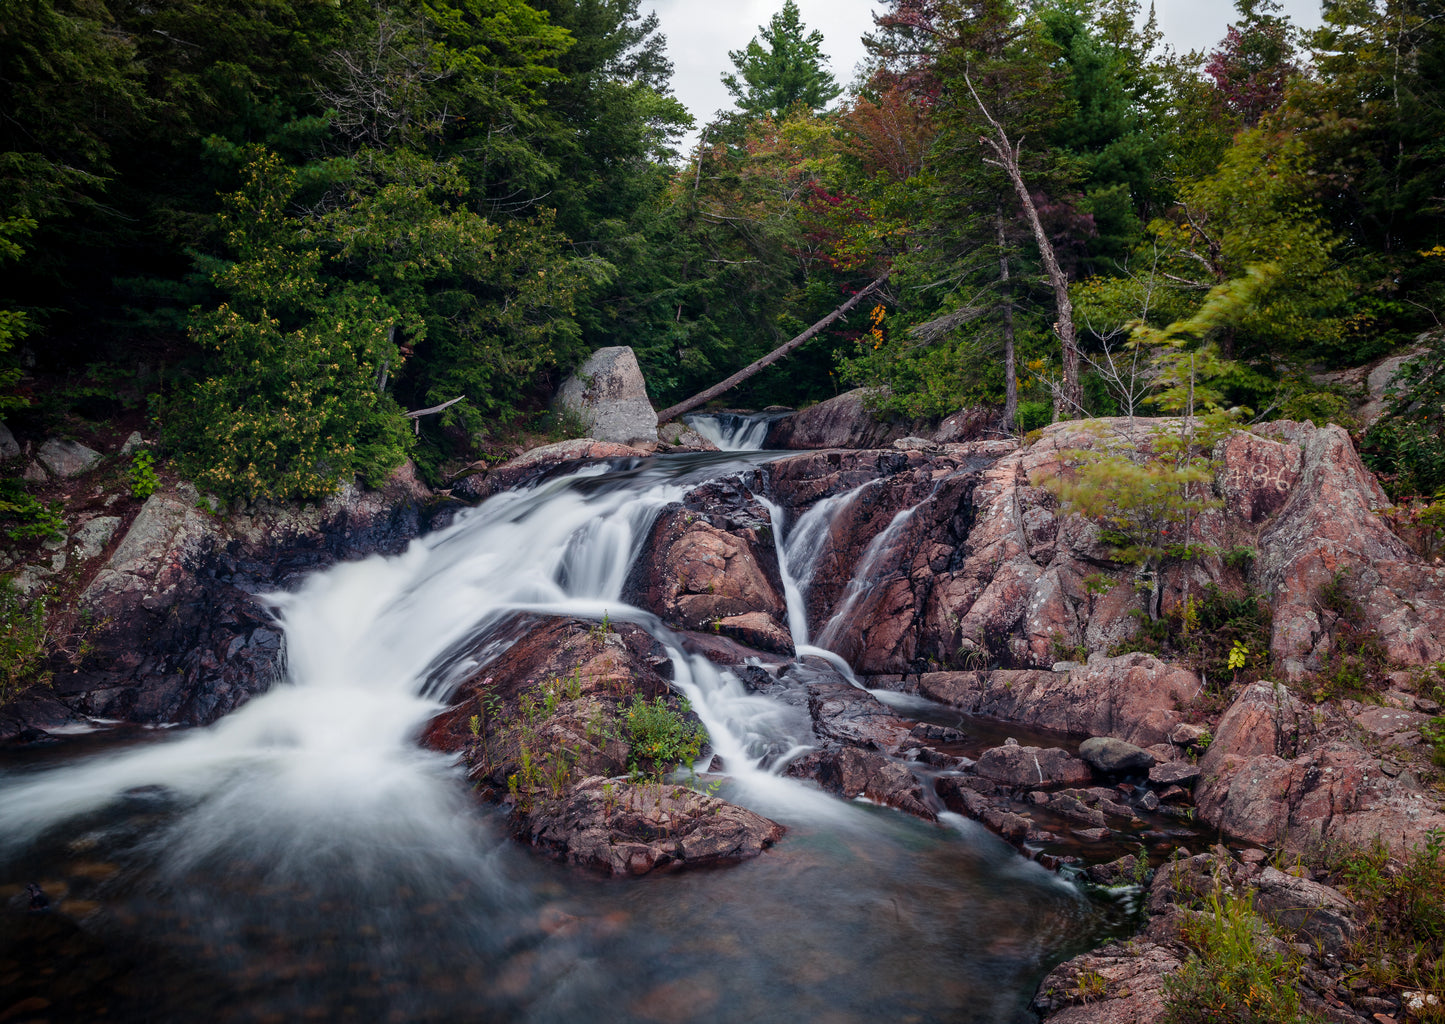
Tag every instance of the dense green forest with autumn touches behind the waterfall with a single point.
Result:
(274, 227)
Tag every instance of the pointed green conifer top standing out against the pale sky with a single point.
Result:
(784, 69)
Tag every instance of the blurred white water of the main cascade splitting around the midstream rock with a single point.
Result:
(374, 649)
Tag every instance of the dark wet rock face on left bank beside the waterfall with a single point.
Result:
(180, 638)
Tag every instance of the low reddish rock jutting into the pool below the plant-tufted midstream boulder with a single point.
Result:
(632, 830)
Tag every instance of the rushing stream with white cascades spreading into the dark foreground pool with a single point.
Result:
(306, 860)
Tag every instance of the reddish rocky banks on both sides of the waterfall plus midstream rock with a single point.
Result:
(989, 658)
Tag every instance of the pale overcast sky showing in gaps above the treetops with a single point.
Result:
(702, 32)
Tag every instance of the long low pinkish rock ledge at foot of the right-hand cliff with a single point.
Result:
(1132, 697)
